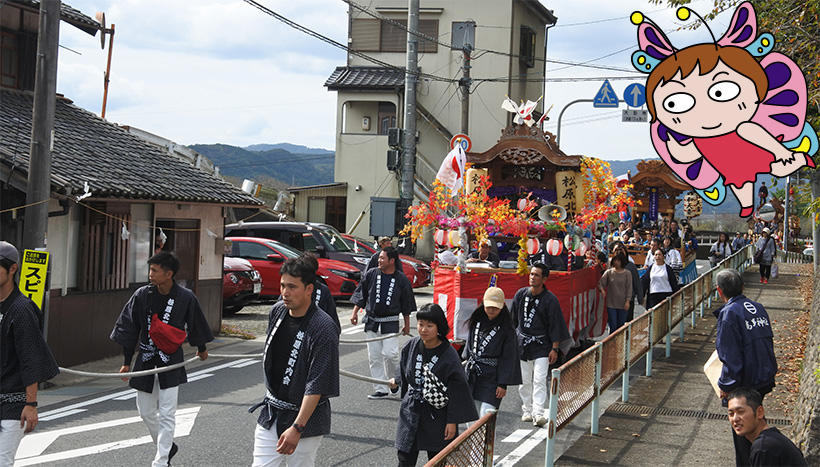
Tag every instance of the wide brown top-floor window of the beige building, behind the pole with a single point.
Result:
(371, 35)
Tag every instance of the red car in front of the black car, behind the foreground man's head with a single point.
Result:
(267, 257)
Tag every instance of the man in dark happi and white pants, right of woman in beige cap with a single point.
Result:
(541, 329)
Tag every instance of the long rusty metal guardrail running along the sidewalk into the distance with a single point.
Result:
(579, 382)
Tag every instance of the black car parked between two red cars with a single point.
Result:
(322, 239)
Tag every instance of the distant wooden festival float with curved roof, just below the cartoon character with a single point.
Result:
(658, 191)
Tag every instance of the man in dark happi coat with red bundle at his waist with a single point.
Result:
(171, 310)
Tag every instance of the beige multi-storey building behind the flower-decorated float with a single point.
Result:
(509, 43)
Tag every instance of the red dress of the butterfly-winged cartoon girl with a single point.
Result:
(737, 159)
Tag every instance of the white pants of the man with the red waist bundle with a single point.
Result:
(158, 410)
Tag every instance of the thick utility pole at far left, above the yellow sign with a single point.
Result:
(38, 188)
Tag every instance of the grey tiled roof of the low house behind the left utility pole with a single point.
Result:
(115, 163)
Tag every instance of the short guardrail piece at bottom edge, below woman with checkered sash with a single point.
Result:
(472, 448)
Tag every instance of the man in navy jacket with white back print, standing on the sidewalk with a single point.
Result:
(744, 345)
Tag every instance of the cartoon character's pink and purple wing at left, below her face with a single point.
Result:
(700, 175)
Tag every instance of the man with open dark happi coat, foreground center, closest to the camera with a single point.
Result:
(301, 368)
